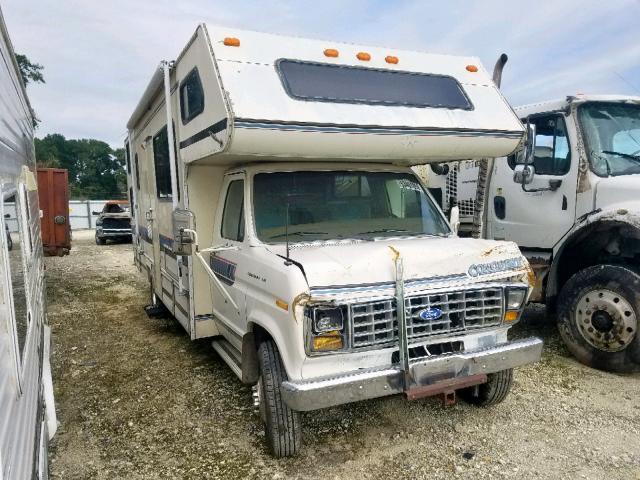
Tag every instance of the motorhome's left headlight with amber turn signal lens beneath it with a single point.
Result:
(326, 329)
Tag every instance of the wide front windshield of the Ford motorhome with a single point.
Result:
(342, 204)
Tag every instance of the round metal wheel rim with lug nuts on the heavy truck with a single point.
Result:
(606, 320)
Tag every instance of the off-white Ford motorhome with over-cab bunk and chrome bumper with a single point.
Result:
(278, 215)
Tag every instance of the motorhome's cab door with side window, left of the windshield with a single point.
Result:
(230, 262)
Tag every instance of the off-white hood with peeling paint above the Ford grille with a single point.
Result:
(366, 262)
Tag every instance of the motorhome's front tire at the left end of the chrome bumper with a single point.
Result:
(283, 426)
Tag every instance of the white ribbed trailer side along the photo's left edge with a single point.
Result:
(27, 413)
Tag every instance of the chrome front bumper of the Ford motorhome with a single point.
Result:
(364, 384)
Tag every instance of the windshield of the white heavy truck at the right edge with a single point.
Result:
(612, 137)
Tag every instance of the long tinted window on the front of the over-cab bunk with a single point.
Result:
(344, 84)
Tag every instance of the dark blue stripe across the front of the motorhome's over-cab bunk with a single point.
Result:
(371, 129)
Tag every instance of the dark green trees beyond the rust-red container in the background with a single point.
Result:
(96, 171)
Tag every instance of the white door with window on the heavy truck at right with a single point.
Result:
(541, 218)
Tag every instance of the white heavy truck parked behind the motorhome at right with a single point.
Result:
(574, 210)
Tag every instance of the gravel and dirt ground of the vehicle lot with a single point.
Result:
(137, 399)
